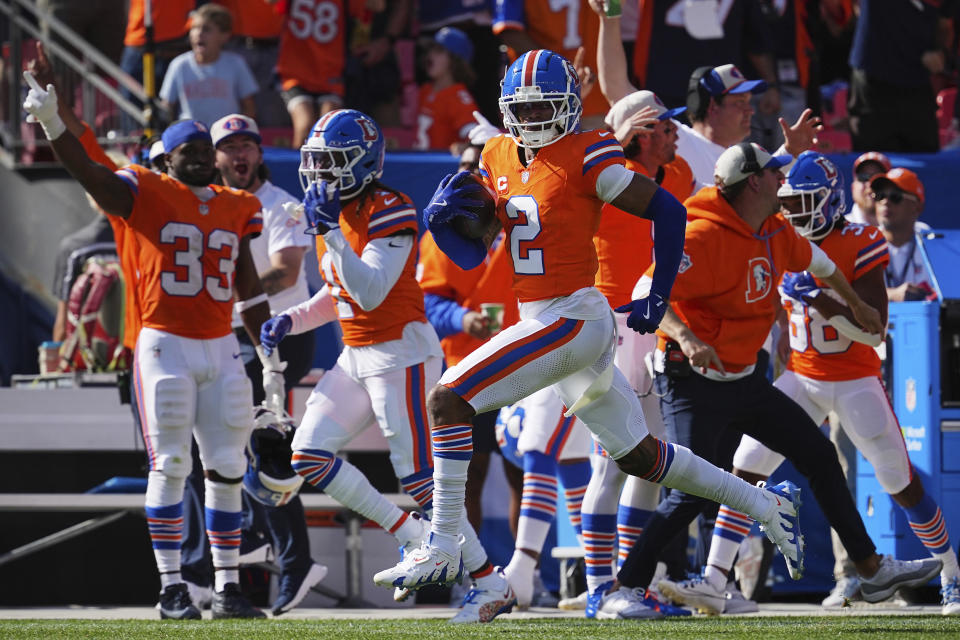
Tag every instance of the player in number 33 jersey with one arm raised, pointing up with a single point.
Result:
(193, 261)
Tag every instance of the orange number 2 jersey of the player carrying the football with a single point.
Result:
(550, 209)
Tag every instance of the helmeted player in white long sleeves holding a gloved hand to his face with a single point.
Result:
(366, 241)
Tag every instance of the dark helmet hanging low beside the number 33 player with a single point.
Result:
(270, 479)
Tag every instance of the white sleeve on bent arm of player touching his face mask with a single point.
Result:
(370, 277)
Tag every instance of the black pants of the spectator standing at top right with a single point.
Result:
(885, 117)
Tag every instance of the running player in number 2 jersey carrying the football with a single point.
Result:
(550, 181)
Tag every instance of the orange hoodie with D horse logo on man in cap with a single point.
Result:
(726, 288)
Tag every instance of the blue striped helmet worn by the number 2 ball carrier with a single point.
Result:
(540, 76)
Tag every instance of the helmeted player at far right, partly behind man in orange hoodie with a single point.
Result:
(833, 367)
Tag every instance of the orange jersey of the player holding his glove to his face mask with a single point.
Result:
(379, 216)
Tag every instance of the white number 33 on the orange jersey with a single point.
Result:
(191, 259)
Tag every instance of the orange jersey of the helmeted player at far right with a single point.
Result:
(817, 349)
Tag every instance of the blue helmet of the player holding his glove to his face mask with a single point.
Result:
(345, 149)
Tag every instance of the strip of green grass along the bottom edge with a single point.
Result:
(804, 628)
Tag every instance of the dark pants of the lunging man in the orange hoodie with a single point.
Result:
(708, 417)
